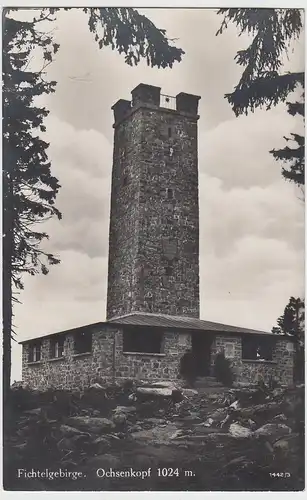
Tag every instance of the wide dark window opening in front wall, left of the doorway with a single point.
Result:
(146, 339)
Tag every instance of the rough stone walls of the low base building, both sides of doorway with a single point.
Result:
(81, 370)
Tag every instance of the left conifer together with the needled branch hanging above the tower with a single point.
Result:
(29, 188)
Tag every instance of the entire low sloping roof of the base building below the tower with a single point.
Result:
(161, 321)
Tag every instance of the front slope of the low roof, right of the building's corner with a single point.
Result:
(180, 322)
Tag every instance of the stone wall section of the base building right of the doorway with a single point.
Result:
(249, 371)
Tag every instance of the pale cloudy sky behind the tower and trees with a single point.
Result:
(251, 247)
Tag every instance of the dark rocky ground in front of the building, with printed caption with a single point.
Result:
(236, 439)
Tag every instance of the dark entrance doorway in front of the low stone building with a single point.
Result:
(201, 349)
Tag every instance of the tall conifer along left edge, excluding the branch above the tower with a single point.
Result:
(29, 189)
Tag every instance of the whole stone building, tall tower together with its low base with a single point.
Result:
(153, 273)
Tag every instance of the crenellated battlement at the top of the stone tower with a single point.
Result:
(150, 96)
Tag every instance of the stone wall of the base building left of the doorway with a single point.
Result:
(77, 371)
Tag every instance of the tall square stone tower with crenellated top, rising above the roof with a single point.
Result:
(154, 222)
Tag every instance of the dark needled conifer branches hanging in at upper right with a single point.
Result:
(263, 83)
